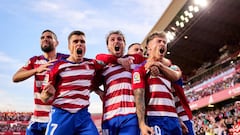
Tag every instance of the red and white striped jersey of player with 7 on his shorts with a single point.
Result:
(72, 82)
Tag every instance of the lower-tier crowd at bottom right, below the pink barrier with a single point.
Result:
(220, 121)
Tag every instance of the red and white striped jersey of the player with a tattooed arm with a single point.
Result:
(159, 99)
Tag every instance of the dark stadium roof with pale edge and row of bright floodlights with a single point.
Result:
(200, 35)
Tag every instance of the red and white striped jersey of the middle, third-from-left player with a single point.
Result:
(119, 98)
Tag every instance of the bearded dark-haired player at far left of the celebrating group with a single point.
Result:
(37, 66)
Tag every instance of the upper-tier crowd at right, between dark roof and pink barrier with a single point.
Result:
(220, 80)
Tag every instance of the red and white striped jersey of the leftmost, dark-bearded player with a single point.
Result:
(41, 110)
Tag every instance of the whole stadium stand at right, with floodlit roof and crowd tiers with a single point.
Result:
(205, 44)
